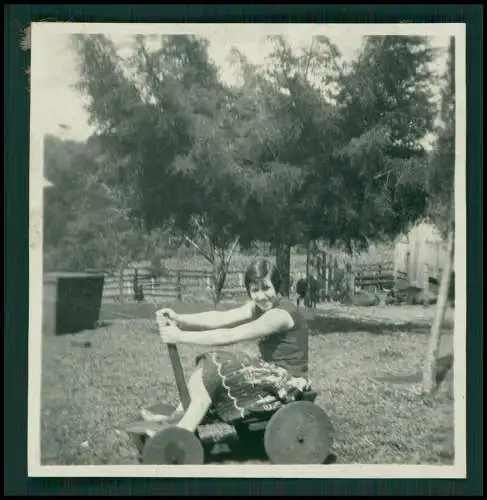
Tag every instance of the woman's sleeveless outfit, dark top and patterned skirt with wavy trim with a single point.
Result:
(238, 383)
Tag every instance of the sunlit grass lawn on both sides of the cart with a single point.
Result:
(89, 393)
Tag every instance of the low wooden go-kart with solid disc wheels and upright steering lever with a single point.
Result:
(298, 432)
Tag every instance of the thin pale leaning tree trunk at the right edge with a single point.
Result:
(429, 370)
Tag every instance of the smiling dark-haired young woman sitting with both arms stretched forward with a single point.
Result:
(235, 384)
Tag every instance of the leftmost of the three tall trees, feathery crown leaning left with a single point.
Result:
(165, 115)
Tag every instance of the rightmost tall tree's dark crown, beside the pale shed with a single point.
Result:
(373, 186)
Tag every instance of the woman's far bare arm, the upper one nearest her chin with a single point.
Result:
(211, 320)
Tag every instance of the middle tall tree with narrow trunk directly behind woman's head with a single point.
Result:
(290, 122)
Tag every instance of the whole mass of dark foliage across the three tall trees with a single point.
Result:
(304, 148)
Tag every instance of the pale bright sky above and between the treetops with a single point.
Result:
(63, 113)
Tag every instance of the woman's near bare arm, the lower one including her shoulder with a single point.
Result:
(272, 322)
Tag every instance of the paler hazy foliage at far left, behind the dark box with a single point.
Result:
(88, 224)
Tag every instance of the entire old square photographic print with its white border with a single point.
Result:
(247, 249)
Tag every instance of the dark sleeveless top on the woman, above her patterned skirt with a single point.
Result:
(288, 349)
